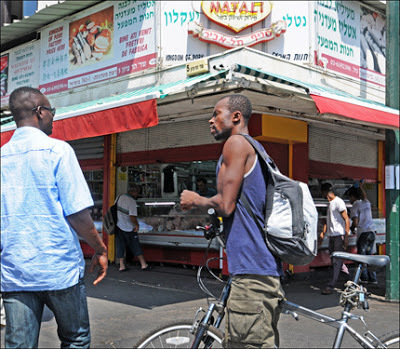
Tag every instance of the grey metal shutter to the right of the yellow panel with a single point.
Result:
(341, 148)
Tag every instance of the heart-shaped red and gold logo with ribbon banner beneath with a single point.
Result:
(236, 16)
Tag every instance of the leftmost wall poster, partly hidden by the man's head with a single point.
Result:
(20, 67)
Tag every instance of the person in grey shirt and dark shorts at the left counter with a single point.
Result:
(128, 227)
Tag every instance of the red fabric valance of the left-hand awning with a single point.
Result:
(100, 123)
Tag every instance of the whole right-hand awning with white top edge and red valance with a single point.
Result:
(330, 101)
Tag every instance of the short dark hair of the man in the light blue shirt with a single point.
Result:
(18, 99)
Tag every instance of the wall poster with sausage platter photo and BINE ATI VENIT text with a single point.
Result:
(115, 39)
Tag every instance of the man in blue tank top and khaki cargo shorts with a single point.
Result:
(252, 309)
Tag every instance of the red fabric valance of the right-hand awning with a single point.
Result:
(355, 111)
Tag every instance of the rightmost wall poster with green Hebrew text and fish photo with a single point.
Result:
(350, 40)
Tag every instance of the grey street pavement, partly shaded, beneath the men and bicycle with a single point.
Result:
(127, 305)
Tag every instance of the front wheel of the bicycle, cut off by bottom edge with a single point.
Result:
(177, 335)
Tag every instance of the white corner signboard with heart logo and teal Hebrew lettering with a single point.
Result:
(191, 30)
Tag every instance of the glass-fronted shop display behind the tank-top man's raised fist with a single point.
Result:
(162, 222)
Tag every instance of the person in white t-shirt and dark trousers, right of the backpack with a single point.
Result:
(337, 228)
